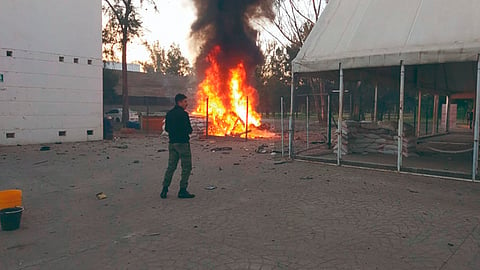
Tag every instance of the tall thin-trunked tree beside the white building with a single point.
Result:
(124, 24)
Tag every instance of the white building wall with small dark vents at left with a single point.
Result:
(50, 59)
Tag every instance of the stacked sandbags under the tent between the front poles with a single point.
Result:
(368, 137)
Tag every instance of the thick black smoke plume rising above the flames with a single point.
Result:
(226, 23)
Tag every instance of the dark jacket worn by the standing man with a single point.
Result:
(177, 124)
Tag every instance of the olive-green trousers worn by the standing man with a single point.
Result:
(178, 151)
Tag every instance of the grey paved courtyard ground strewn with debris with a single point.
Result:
(262, 213)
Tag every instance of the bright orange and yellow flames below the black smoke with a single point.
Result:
(231, 101)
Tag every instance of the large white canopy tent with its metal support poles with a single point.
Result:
(359, 35)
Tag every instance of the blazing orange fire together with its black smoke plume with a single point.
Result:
(226, 64)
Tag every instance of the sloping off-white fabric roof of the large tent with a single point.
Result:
(376, 33)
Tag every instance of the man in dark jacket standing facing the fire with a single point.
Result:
(177, 124)
